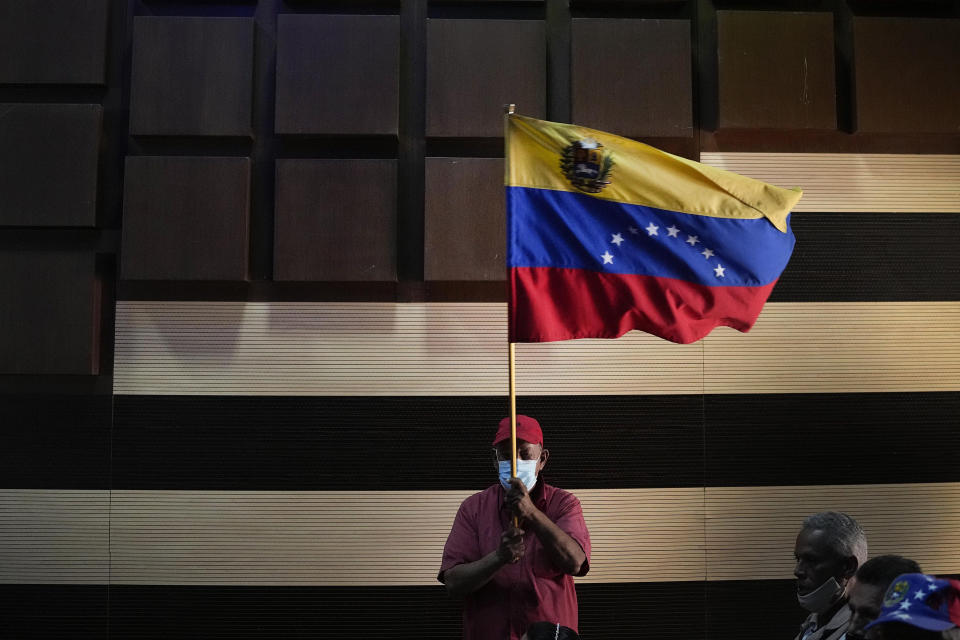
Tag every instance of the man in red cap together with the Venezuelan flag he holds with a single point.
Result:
(604, 235)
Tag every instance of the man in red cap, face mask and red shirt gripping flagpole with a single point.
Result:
(511, 576)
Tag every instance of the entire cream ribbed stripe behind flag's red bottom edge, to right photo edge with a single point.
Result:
(359, 349)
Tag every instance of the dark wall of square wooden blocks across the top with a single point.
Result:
(322, 149)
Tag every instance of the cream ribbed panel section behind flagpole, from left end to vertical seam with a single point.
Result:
(373, 349)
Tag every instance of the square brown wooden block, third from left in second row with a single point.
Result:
(336, 220)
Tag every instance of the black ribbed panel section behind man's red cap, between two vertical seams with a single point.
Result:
(397, 443)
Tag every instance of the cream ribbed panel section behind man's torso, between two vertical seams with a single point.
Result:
(364, 538)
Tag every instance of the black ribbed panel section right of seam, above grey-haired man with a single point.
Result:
(831, 438)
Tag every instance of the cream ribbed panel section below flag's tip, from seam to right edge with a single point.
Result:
(839, 347)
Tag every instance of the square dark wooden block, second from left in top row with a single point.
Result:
(191, 76)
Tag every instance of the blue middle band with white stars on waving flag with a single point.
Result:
(572, 230)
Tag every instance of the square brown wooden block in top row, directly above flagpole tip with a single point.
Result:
(474, 67)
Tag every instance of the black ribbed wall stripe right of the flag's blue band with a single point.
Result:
(872, 257)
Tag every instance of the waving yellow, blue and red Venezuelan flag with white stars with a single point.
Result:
(607, 235)
